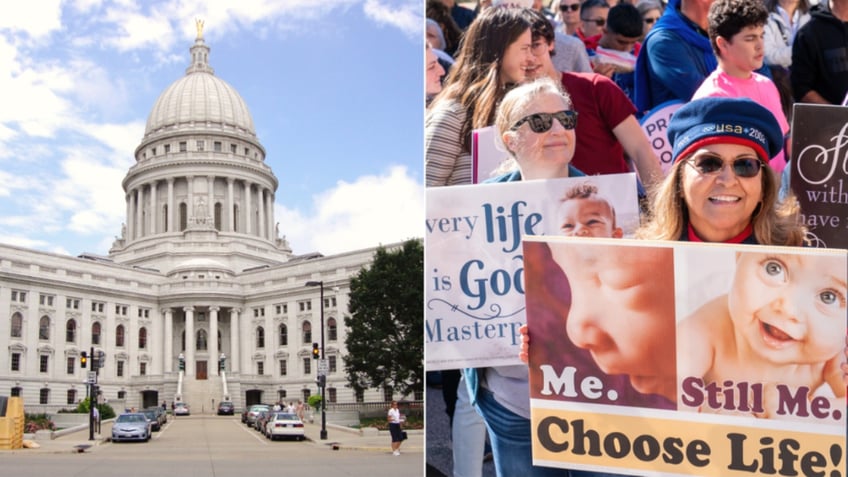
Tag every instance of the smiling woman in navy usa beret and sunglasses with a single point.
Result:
(718, 189)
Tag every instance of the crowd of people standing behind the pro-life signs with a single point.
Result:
(565, 82)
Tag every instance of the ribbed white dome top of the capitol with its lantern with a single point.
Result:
(199, 101)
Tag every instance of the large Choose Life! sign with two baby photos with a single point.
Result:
(674, 358)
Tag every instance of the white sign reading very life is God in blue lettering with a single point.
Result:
(474, 291)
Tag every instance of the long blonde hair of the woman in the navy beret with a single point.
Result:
(774, 223)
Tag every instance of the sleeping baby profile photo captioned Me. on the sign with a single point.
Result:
(601, 322)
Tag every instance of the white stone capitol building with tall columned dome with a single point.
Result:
(199, 271)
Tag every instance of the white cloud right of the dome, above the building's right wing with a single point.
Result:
(372, 210)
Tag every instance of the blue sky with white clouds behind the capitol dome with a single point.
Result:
(335, 88)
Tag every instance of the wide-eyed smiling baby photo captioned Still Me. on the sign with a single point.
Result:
(765, 338)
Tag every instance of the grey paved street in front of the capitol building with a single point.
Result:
(212, 446)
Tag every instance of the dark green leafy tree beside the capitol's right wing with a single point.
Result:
(385, 339)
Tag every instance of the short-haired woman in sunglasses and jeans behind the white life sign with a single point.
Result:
(536, 123)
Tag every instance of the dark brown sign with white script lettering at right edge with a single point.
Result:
(820, 171)
